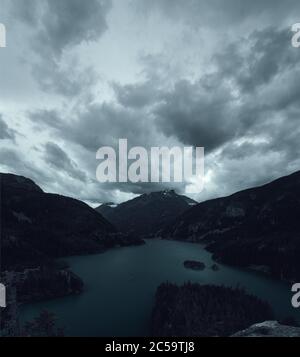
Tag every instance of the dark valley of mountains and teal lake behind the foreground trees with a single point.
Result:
(109, 271)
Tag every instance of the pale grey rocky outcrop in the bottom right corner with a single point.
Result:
(269, 329)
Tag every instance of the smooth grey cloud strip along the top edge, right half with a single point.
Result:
(198, 13)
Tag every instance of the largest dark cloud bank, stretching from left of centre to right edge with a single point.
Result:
(252, 94)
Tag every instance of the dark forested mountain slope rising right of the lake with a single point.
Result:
(256, 228)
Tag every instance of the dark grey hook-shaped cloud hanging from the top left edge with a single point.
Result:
(59, 25)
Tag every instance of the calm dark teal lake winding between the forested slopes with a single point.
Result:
(120, 288)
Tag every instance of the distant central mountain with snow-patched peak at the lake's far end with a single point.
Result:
(147, 214)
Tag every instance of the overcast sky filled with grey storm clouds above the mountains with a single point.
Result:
(78, 75)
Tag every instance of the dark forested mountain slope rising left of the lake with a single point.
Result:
(37, 226)
